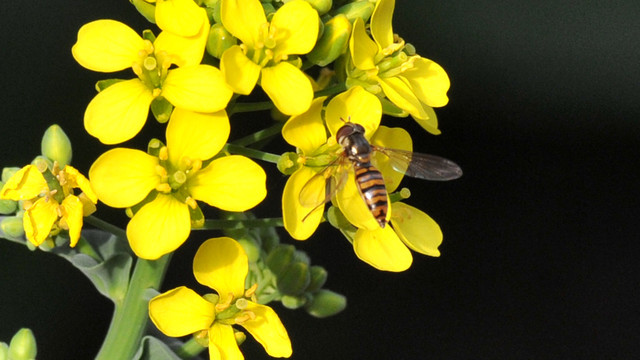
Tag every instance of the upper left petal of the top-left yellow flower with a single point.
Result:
(107, 46)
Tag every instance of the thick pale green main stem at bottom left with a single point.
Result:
(130, 316)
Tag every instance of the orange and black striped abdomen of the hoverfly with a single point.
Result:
(371, 185)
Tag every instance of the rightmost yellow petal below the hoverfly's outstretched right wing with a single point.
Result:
(416, 229)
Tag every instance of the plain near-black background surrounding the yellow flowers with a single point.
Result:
(540, 250)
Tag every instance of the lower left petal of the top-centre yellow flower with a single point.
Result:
(239, 71)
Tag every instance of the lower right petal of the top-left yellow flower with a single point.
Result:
(198, 88)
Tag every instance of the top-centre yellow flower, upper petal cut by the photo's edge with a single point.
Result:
(264, 54)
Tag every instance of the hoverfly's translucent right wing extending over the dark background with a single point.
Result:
(421, 166)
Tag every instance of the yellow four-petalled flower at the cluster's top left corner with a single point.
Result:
(118, 112)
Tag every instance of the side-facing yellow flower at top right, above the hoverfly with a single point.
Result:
(384, 67)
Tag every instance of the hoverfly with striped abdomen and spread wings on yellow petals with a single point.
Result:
(357, 153)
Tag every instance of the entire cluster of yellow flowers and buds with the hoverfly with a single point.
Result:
(207, 57)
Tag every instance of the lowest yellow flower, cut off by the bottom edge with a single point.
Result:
(222, 265)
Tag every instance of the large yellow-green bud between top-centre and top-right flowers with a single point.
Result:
(333, 42)
